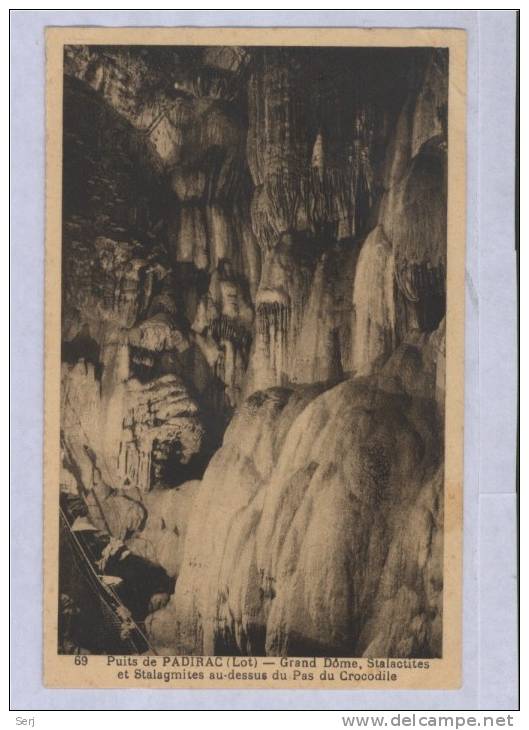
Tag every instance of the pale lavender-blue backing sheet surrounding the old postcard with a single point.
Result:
(490, 639)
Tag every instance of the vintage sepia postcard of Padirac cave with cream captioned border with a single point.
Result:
(254, 358)
